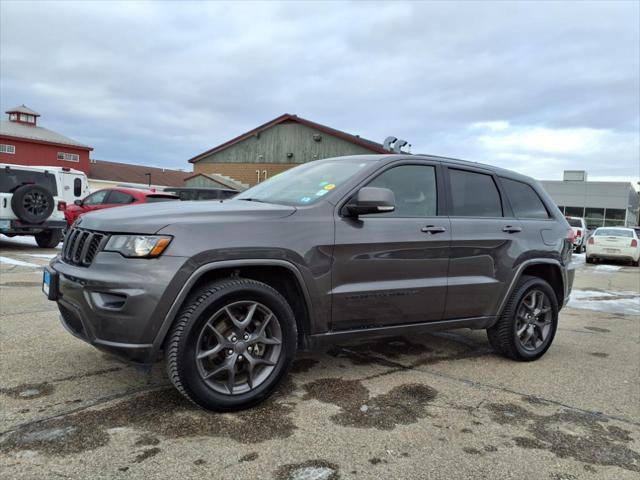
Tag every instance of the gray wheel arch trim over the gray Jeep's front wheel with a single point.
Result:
(281, 275)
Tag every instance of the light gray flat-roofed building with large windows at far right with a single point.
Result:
(602, 204)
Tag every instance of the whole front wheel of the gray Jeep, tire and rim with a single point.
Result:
(231, 345)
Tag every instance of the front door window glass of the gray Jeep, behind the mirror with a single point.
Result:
(414, 187)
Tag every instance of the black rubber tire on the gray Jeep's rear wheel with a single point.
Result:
(503, 335)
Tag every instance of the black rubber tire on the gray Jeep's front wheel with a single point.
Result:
(183, 343)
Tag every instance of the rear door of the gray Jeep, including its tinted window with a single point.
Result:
(486, 242)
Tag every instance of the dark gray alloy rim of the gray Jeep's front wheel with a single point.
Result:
(238, 347)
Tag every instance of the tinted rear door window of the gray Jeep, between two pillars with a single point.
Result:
(474, 194)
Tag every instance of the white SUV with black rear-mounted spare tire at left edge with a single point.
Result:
(33, 200)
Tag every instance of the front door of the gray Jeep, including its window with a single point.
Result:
(391, 268)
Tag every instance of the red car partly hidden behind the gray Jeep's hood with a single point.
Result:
(113, 197)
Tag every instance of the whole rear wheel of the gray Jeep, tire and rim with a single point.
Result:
(528, 323)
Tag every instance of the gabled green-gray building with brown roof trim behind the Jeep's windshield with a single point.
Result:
(271, 148)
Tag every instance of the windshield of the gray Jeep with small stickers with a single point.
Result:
(306, 184)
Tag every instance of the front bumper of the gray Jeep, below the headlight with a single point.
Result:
(113, 303)
